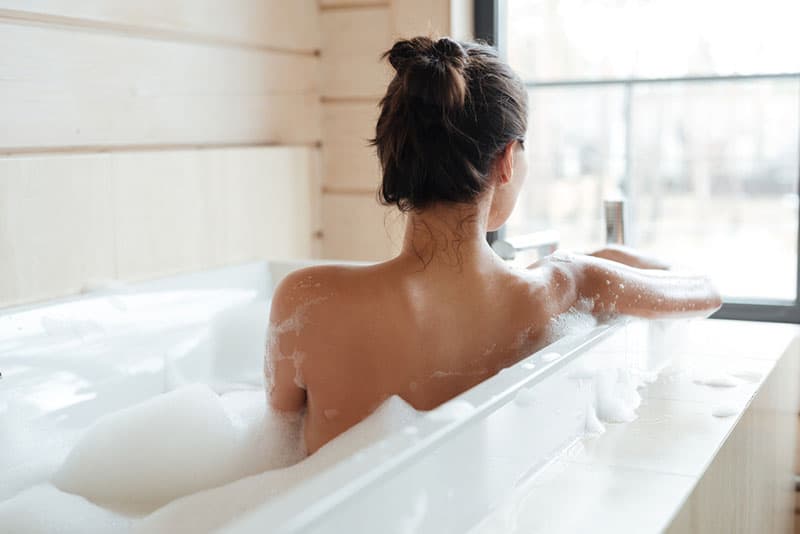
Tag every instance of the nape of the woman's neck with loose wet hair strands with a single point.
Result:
(451, 236)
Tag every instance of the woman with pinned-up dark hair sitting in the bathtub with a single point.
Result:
(447, 312)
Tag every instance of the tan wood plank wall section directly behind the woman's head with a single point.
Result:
(354, 35)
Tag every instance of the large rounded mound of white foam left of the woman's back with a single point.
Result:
(142, 457)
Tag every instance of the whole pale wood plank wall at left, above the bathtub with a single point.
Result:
(150, 137)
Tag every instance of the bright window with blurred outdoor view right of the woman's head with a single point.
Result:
(691, 109)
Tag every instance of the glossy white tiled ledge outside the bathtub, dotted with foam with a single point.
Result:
(637, 475)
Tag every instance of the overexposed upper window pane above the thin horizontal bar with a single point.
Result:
(567, 39)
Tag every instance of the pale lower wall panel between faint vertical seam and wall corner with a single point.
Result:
(181, 211)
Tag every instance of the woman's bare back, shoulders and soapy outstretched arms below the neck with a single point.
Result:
(344, 339)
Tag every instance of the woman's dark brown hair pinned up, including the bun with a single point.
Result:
(450, 109)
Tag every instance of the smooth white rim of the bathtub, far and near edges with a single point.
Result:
(378, 461)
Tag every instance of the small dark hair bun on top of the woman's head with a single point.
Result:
(433, 72)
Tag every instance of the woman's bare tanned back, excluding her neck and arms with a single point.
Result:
(372, 332)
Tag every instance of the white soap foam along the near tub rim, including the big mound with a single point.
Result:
(141, 458)
